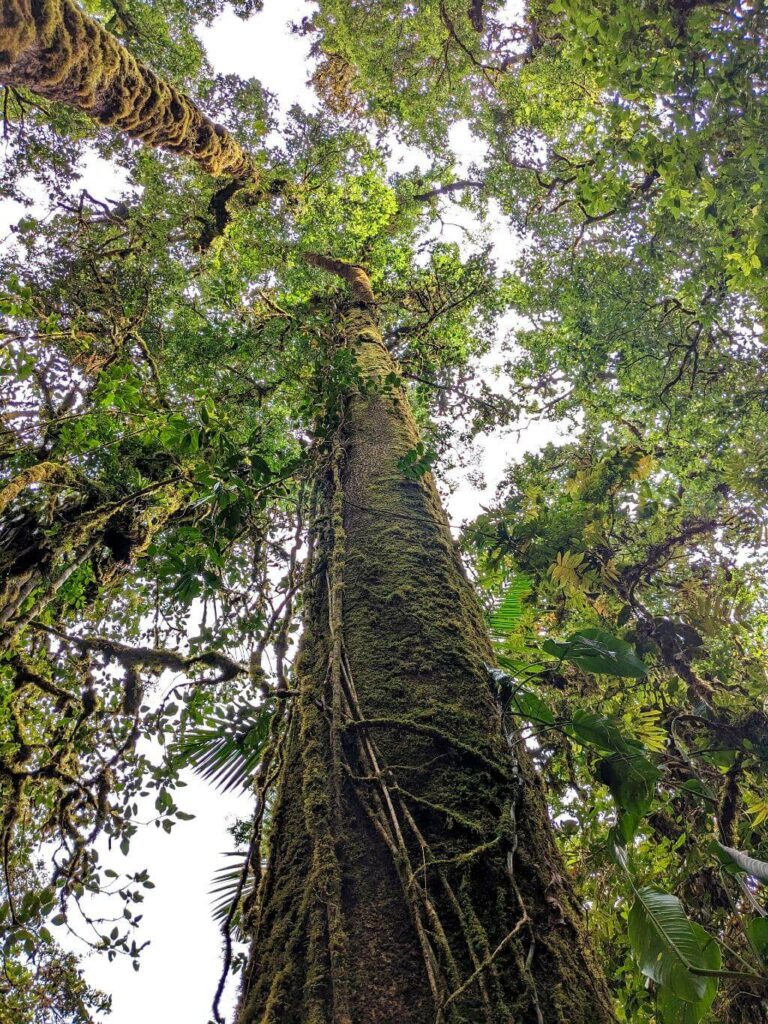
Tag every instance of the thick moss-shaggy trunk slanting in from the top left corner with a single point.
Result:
(53, 49)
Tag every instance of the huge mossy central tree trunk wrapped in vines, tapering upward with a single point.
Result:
(412, 874)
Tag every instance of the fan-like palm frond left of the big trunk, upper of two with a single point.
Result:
(228, 749)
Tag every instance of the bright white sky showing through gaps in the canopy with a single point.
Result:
(181, 969)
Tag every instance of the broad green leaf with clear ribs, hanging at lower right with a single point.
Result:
(671, 951)
